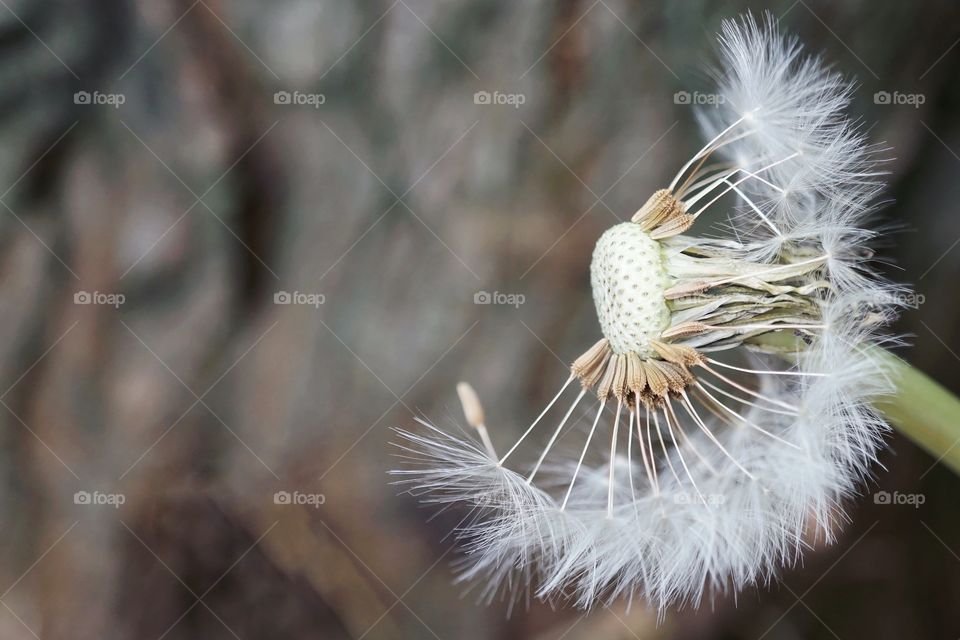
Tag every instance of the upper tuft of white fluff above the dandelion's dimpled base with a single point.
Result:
(796, 103)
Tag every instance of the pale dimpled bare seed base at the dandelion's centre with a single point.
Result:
(629, 279)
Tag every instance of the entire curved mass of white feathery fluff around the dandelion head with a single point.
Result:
(812, 438)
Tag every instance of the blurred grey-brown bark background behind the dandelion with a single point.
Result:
(241, 240)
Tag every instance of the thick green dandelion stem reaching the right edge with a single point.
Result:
(922, 410)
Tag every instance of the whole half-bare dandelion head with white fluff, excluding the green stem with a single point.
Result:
(735, 373)
